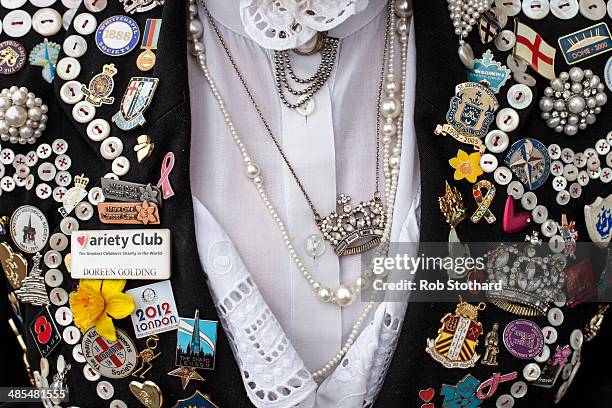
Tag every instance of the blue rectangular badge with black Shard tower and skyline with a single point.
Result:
(196, 343)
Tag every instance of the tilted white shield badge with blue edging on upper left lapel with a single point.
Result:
(135, 101)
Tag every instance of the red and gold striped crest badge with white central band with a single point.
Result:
(455, 345)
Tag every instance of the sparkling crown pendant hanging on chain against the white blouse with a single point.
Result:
(354, 230)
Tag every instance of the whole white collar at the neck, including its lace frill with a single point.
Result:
(286, 24)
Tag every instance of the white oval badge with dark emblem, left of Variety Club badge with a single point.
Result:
(29, 229)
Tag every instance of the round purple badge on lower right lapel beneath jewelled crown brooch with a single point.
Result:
(523, 339)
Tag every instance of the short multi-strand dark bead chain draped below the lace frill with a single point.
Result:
(282, 66)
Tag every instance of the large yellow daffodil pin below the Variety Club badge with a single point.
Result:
(96, 302)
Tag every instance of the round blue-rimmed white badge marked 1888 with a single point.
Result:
(117, 35)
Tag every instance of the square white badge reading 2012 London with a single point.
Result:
(155, 310)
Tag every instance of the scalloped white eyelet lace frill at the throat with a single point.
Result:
(285, 24)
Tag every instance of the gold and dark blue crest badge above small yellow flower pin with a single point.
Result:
(471, 112)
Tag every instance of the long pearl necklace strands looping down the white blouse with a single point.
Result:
(344, 295)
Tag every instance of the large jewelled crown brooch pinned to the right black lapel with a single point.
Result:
(529, 282)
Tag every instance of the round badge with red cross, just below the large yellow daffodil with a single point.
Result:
(112, 359)
